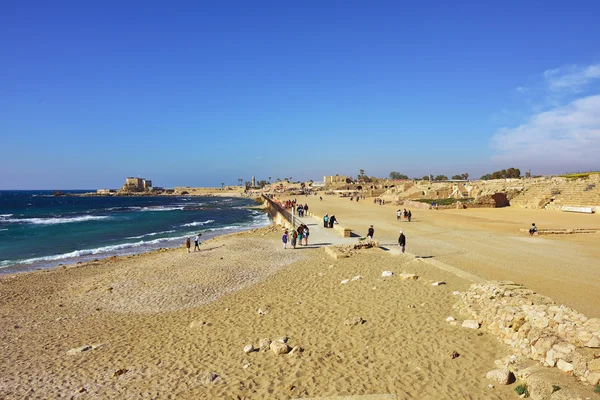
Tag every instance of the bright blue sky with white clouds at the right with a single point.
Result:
(198, 93)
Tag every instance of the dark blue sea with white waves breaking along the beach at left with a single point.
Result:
(40, 230)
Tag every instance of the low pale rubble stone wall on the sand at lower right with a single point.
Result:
(536, 327)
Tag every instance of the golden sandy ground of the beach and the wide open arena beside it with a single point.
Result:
(169, 324)
